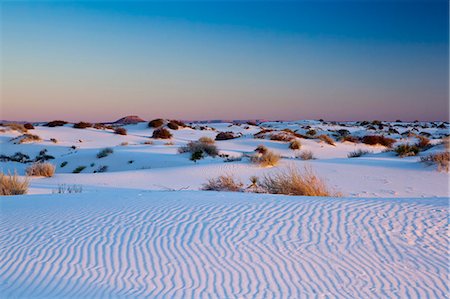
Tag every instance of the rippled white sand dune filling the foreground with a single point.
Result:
(194, 244)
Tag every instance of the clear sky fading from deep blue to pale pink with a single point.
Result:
(337, 60)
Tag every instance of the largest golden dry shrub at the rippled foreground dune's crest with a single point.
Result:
(294, 182)
